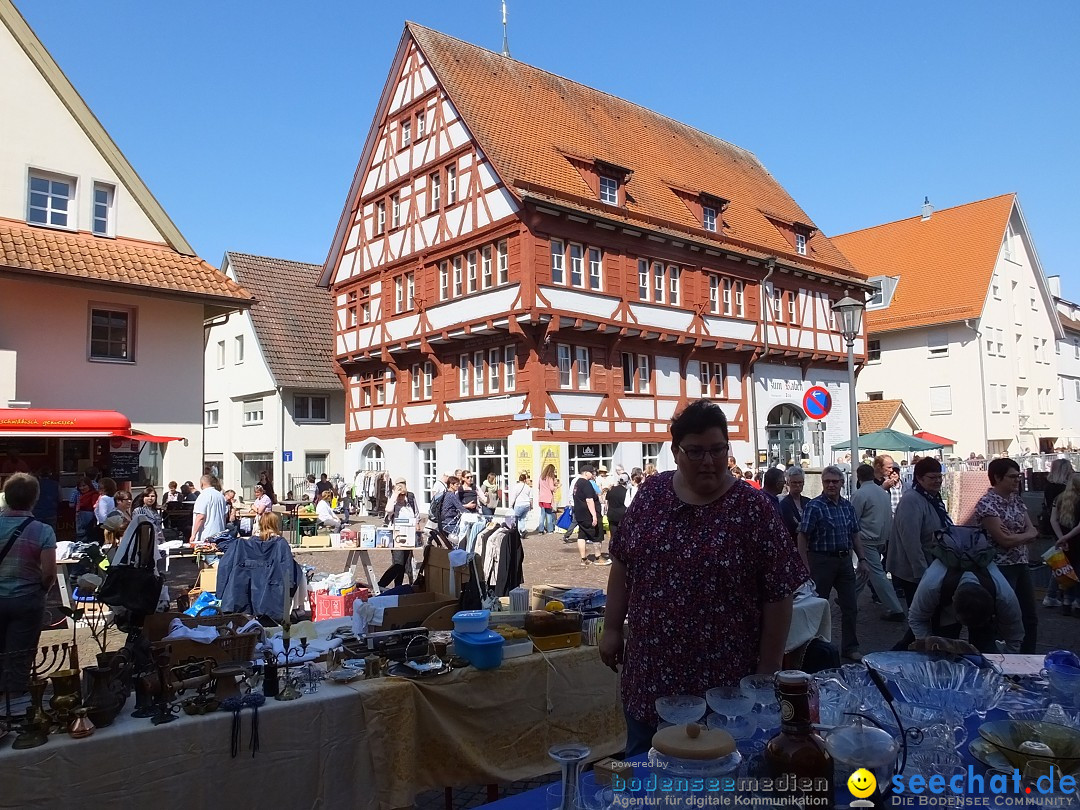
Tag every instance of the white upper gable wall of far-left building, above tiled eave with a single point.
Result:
(49, 139)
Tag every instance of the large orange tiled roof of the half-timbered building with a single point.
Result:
(528, 121)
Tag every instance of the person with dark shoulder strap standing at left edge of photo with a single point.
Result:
(28, 572)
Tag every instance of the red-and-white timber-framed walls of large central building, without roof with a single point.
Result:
(492, 307)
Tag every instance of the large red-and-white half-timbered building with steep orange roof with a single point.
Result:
(530, 271)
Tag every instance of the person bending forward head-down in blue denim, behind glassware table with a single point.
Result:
(980, 599)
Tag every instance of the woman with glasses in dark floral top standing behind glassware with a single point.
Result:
(705, 570)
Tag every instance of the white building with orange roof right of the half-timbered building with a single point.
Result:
(964, 328)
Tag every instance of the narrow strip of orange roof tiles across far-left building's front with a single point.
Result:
(134, 264)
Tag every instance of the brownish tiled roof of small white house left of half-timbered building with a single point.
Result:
(293, 320)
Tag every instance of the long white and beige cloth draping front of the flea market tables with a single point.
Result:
(370, 745)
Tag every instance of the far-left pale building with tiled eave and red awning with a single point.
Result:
(102, 300)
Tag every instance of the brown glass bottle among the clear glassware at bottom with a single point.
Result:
(796, 759)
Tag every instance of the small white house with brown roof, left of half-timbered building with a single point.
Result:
(274, 400)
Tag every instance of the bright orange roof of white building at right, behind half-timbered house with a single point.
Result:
(944, 263)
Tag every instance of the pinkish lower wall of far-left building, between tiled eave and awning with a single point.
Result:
(160, 393)
